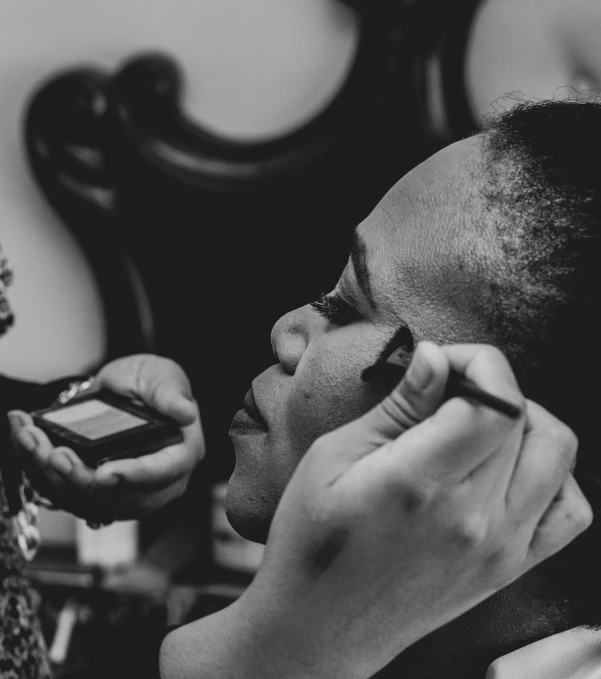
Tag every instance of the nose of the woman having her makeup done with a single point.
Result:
(291, 336)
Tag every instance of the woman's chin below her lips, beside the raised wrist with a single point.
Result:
(249, 512)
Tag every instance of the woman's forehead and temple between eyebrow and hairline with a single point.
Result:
(422, 247)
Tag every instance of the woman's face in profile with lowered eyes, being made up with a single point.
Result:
(409, 266)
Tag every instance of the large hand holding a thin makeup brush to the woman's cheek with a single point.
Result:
(407, 517)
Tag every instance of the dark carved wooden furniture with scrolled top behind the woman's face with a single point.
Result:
(199, 242)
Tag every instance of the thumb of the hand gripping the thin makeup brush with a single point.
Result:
(417, 396)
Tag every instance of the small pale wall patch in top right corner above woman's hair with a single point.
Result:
(539, 48)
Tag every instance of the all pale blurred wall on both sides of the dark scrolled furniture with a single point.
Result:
(254, 69)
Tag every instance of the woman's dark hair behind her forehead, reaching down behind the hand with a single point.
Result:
(542, 199)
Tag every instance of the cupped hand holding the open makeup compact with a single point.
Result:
(128, 488)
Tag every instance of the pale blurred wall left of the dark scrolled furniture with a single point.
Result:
(253, 69)
